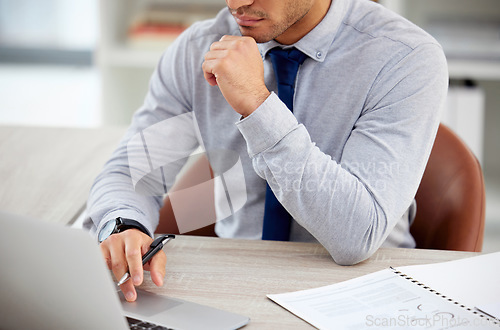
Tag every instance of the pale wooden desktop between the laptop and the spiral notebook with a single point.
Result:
(236, 275)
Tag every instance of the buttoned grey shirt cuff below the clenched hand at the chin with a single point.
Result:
(267, 125)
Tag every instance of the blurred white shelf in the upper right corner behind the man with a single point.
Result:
(467, 30)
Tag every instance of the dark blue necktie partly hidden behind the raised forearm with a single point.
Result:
(286, 64)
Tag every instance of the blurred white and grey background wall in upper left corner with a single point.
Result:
(48, 75)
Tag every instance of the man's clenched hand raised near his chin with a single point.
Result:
(235, 65)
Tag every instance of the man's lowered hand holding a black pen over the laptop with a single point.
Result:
(123, 251)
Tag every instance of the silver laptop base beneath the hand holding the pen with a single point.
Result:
(179, 314)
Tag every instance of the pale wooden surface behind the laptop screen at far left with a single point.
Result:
(46, 173)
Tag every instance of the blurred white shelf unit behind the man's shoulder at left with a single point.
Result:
(126, 70)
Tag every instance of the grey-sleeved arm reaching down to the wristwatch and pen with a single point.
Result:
(161, 137)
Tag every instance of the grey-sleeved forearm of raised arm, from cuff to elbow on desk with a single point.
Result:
(318, 193)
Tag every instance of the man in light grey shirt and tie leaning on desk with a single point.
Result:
(345, 164)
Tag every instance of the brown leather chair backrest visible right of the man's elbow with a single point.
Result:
(450, 198)
